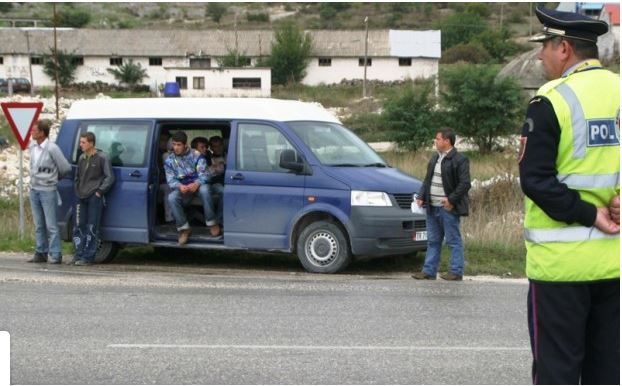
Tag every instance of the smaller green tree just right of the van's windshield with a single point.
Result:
(410, 116)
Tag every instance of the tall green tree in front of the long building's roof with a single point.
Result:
(289, 56)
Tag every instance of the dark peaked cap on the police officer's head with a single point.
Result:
(569, 25)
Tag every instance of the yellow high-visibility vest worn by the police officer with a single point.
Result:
(587, 106)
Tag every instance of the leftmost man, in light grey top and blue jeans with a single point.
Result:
(47, 165)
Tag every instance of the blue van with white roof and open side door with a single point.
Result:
(296, 180)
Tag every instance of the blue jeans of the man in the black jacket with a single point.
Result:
(440, 224)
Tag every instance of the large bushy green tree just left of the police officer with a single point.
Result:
(481, 106)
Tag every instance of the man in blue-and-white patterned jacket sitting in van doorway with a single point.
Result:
(188, 176)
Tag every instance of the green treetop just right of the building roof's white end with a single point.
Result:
(459, 28)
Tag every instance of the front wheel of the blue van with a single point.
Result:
(322, 247)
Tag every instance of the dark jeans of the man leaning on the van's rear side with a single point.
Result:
(86, 236)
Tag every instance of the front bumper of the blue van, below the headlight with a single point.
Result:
(385, 231)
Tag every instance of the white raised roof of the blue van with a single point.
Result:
(200, 108)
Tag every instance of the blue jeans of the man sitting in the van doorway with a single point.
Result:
(178, 200)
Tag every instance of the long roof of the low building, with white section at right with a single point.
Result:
(182, 43)
